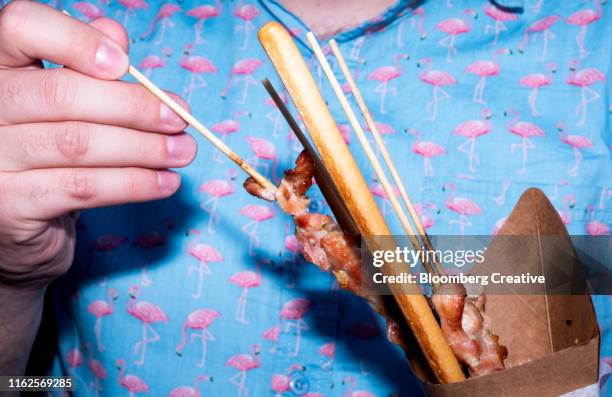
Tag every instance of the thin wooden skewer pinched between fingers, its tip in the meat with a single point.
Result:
(189, 119)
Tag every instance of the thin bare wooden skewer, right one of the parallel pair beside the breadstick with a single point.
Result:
(383, 150)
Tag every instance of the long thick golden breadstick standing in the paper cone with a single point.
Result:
(354, 190)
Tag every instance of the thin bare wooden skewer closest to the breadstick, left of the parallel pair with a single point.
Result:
(366, 145)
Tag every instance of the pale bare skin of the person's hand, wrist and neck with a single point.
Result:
(76, 138)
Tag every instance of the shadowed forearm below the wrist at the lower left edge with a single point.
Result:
(20, 314)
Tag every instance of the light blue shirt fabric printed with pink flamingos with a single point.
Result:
(199, 313)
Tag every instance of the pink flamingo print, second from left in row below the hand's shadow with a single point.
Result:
(148, 313)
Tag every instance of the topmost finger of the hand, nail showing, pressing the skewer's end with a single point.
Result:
(31, 31)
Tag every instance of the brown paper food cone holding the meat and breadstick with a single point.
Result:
(553, 341)
